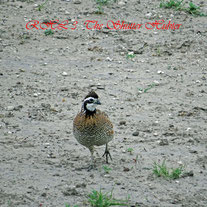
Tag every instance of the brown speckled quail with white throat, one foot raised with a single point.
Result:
(92, 127)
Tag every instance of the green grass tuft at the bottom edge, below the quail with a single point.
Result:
(99, 199)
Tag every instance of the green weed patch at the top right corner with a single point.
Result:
(179, 5)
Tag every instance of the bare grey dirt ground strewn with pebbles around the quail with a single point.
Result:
(43, 80)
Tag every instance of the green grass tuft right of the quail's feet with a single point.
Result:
(161, 170)
